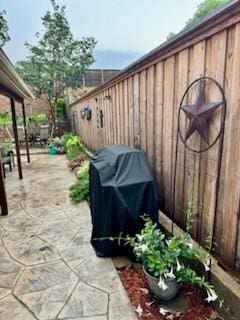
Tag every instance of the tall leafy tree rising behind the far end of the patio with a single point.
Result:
(58, 60)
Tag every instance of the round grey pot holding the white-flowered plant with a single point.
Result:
(164, 295)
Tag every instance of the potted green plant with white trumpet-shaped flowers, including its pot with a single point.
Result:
(167, 261)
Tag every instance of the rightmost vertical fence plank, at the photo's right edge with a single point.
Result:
(232, 169)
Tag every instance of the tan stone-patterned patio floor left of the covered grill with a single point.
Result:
(48, 268)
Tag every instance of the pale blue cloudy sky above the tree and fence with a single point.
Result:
(124, 29)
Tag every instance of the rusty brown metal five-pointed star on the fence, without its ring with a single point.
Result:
(199, 114)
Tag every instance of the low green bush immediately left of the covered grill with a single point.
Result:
(79, 191)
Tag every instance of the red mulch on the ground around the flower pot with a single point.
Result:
(135, 284)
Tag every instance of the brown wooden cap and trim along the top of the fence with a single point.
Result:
(206, 26)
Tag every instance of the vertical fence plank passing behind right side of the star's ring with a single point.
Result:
(215, 68)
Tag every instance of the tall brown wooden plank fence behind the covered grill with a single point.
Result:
(139, 107)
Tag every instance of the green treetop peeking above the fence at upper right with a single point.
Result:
(204, 8)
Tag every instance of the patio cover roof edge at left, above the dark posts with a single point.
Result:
(10, 79)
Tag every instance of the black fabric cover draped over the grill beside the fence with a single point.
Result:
(122, 188)
